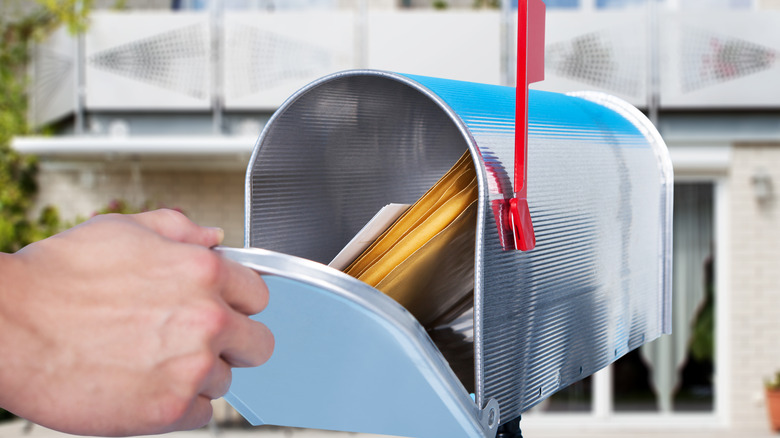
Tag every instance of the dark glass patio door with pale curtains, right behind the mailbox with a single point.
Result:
(673, 374)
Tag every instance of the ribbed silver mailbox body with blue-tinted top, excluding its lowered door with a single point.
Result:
(599, 184)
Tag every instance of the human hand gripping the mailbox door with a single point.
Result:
(126, 325)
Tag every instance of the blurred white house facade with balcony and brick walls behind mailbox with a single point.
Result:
(161, 104)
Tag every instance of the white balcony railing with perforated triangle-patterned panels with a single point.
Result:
(253, 60)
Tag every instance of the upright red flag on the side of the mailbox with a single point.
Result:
(530, 68)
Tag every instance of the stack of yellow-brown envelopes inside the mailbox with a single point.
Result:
(425, 260)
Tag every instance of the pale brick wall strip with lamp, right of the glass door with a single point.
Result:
(754, 259)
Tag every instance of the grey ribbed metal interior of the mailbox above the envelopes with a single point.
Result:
(333, 156)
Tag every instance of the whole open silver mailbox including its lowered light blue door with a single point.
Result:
(595, 286)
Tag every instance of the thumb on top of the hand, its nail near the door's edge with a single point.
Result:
(176, 226)
